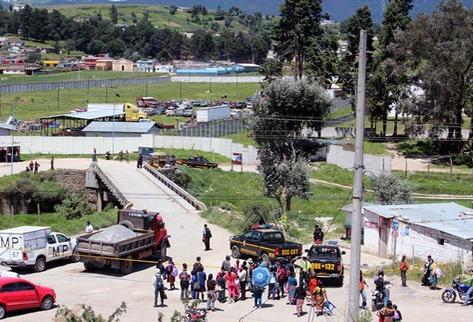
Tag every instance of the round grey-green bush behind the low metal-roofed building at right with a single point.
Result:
(390, 190)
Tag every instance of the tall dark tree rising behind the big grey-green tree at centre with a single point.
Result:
(297, 29)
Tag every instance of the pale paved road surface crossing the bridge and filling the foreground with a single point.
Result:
(105, 290)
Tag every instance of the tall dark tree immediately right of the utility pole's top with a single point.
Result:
(389, 78)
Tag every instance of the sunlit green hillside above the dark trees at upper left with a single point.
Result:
(158, 15)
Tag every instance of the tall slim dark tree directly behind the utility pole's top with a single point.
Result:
(360, 21)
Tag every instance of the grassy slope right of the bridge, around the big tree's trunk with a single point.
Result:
(229, 195)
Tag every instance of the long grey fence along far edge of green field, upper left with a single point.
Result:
(76, 84)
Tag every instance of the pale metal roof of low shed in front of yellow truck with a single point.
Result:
(120, 129)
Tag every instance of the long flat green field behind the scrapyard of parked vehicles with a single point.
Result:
(32, 105)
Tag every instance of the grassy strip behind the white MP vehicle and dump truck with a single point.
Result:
(60, 223)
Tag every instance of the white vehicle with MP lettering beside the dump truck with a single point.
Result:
(33, 247)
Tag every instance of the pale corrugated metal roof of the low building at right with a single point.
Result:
(450, 218)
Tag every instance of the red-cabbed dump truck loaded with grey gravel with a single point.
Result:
(138, 234)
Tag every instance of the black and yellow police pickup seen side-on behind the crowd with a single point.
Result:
(267, 244)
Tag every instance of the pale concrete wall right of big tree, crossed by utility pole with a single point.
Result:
(346, 159)
